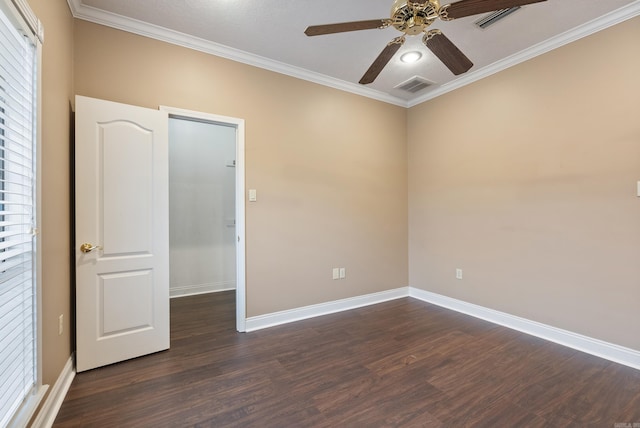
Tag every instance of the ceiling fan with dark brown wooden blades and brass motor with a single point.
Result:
(413, 17)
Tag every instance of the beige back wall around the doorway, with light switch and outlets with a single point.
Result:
(329, 167)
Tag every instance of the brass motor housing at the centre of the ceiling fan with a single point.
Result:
(411, 17)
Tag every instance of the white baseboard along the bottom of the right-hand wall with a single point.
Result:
(599, 348)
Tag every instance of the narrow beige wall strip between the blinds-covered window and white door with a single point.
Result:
(57, 90)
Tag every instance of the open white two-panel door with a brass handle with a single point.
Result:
(122, 232)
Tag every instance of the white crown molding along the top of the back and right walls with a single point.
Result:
(98, 16)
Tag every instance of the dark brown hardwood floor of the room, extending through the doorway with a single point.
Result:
(403, 363)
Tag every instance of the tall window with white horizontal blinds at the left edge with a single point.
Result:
(20, 385)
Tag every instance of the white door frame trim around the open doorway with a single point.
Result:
(240, 203)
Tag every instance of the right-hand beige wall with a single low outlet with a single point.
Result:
(527, 181)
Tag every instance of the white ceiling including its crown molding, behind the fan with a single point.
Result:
(270, 34)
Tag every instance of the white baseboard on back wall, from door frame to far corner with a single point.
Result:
(283, 317)
